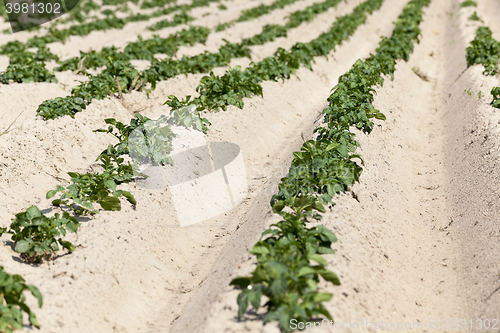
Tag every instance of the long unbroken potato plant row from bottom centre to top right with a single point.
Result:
(324, 167)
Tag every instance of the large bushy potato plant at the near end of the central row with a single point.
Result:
(285, 275)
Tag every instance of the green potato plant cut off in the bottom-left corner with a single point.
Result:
(13, 302)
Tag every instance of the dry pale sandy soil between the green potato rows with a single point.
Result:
(420, 245)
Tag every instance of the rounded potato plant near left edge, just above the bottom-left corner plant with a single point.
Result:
(38, 237)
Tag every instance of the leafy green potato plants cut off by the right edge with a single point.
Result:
(485, 50)
